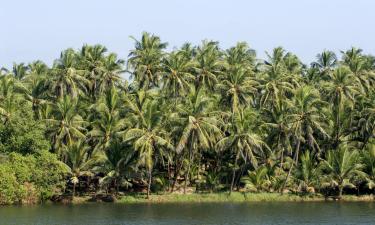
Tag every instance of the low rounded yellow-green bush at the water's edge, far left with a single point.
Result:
(32, 178)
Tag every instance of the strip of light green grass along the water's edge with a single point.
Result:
(235, 197)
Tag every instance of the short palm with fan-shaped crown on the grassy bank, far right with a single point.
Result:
(341, 166)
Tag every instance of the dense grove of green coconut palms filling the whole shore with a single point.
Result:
(195, 118)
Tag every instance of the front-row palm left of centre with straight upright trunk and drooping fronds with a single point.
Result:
(149, 139)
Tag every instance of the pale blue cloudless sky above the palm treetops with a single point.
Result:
(40, 29)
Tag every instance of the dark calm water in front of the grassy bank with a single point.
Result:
(189, 214)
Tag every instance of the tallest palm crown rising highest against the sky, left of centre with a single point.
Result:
(145, 60)
